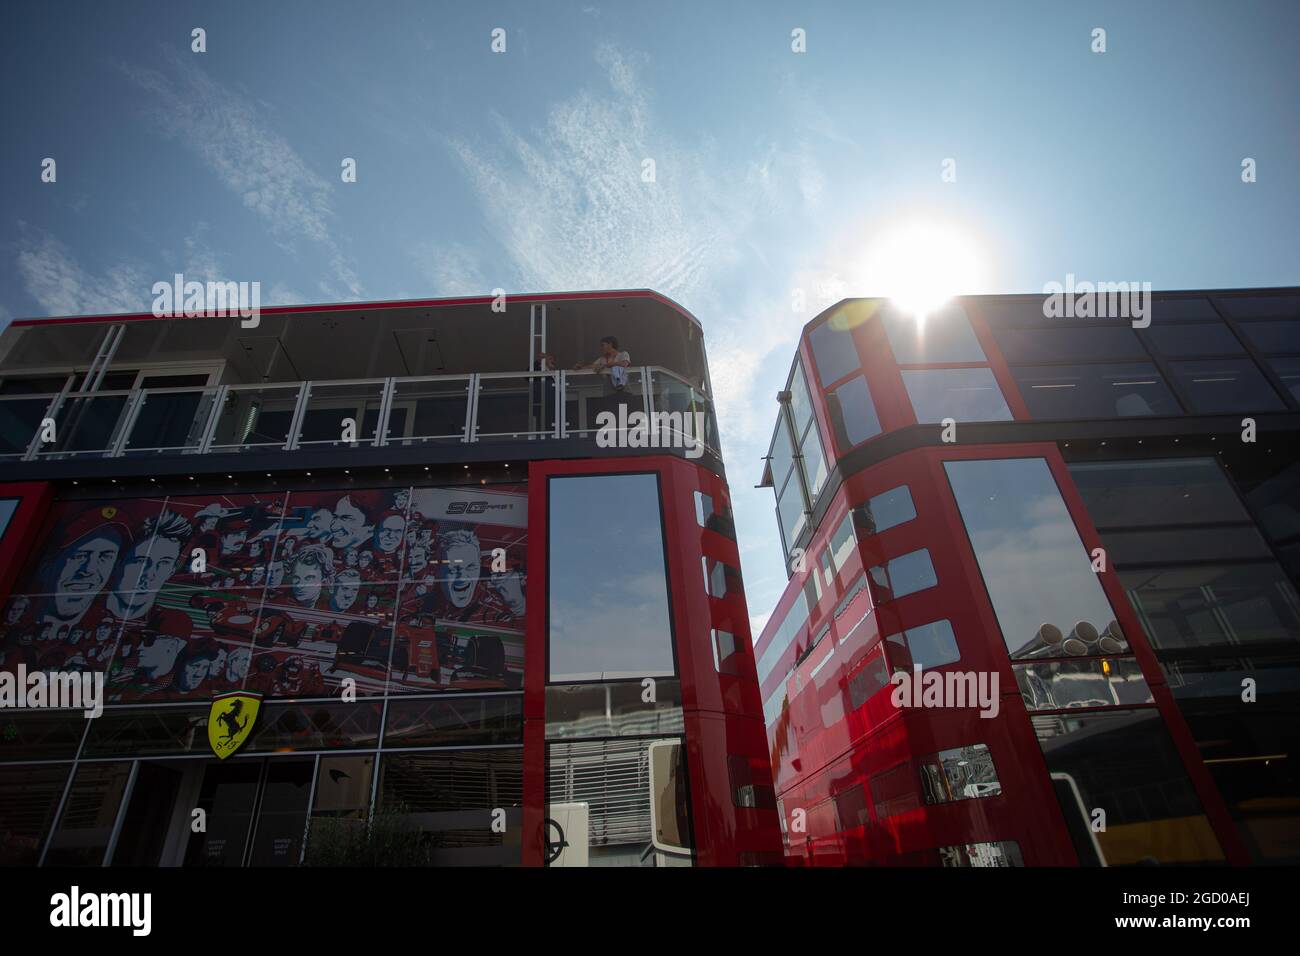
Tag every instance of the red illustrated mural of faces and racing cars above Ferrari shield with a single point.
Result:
(288, 595)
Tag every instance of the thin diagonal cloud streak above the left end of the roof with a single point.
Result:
(231, 135)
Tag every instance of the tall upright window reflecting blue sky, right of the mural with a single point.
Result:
(609, 586)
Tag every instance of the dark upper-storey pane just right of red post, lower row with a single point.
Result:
(1095, 392)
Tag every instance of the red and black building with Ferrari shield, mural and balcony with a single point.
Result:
(466, 617)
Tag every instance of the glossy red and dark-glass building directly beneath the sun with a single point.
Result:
(1104, 517)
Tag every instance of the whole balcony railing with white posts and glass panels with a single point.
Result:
(354, 413)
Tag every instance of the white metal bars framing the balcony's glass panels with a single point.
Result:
(643, 384)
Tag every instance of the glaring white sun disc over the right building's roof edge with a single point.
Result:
(921, 266)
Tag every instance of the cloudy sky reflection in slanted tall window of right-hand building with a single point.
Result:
(1035, 568)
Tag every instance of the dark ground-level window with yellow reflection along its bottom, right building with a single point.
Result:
(1125, 764)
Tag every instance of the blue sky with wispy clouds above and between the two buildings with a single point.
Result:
(523, 171)
